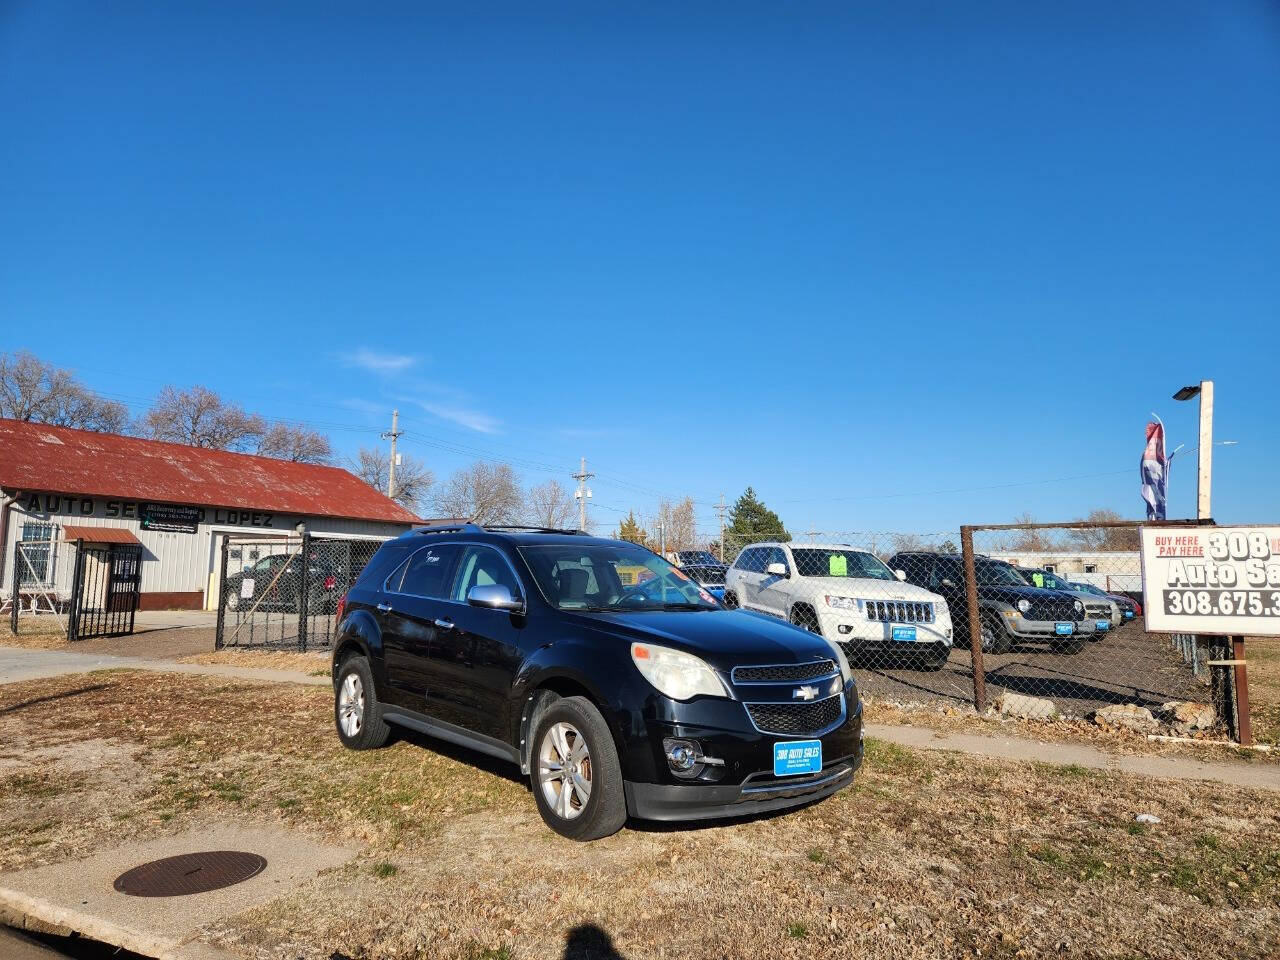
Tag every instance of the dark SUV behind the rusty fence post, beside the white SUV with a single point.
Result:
(1011, 610)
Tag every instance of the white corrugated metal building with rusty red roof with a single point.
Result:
(60, 486)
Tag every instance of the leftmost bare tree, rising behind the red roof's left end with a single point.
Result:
(39, 392)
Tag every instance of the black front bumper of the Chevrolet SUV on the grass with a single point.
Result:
(744, 785)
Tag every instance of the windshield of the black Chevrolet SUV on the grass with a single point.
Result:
(612, 577)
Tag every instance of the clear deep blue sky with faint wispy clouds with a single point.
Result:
(895, 266)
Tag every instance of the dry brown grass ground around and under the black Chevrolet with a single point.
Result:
(927, 856)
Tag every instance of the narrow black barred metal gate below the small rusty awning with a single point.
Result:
(104, 591)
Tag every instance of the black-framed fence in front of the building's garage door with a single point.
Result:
(285, 592)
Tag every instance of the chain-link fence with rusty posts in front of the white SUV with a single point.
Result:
(1031, 619)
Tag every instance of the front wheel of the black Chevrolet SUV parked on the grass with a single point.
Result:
(575, 771)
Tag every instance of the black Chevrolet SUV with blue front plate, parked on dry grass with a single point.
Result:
(616, 696)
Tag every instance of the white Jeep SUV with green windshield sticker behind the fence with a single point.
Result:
(845, 595)
